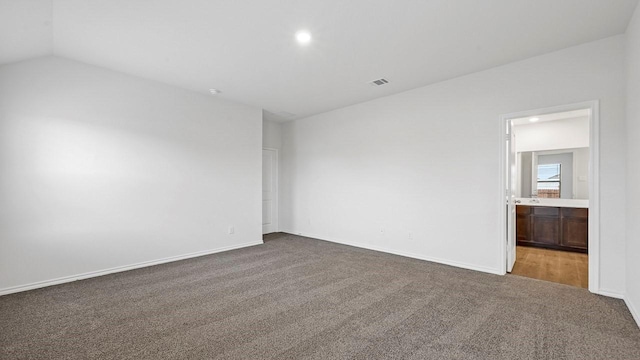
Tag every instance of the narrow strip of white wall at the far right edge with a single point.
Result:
(633, 165)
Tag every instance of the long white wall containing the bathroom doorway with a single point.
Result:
(423, 165)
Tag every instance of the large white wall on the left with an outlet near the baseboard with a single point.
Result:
(103, 170)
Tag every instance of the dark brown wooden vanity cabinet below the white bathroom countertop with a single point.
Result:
(561, 228)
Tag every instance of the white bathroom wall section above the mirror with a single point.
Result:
(552, 135)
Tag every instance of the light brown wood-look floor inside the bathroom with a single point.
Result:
(552, 265)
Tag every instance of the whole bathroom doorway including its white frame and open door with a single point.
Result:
(549, 176)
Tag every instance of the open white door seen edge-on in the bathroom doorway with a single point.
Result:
(512, 172)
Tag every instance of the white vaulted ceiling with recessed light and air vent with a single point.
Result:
(247, 48)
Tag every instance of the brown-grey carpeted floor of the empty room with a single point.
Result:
(300, 298)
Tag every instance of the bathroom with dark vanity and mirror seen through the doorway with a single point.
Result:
(552, 157)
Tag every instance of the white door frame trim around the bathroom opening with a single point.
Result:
(594, 182)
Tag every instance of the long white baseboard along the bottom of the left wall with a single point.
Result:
(91, 274)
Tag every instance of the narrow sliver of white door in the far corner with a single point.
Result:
(269, 191)
